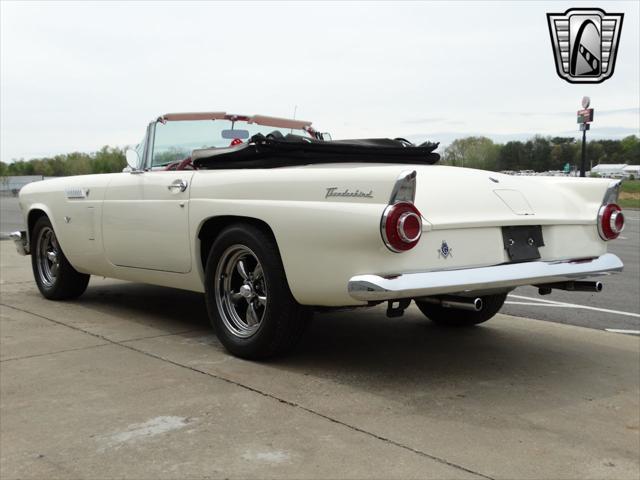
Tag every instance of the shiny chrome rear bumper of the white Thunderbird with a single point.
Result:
(423, 284)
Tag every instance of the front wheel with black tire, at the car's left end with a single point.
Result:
(56, 279)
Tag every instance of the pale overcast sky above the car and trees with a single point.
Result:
(76, 76)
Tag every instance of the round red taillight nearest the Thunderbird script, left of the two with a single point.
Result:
(401, 226)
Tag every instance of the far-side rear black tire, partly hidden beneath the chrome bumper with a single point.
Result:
(454, 317)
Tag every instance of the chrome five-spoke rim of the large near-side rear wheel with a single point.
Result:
(240, 291)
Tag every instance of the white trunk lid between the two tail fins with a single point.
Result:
(452, 197)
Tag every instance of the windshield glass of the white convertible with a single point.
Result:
(175, 140)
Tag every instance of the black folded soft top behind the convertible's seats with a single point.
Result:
(294, 150)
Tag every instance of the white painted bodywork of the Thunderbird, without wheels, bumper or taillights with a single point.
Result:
(131, 226)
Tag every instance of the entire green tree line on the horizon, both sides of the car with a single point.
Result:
(539, 154)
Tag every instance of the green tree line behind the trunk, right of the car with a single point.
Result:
(539, 154)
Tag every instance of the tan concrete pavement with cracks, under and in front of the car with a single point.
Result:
(129, 382)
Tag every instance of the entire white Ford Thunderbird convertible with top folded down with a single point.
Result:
(271, 220)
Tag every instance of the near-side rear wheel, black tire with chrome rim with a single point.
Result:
(281, 320)
